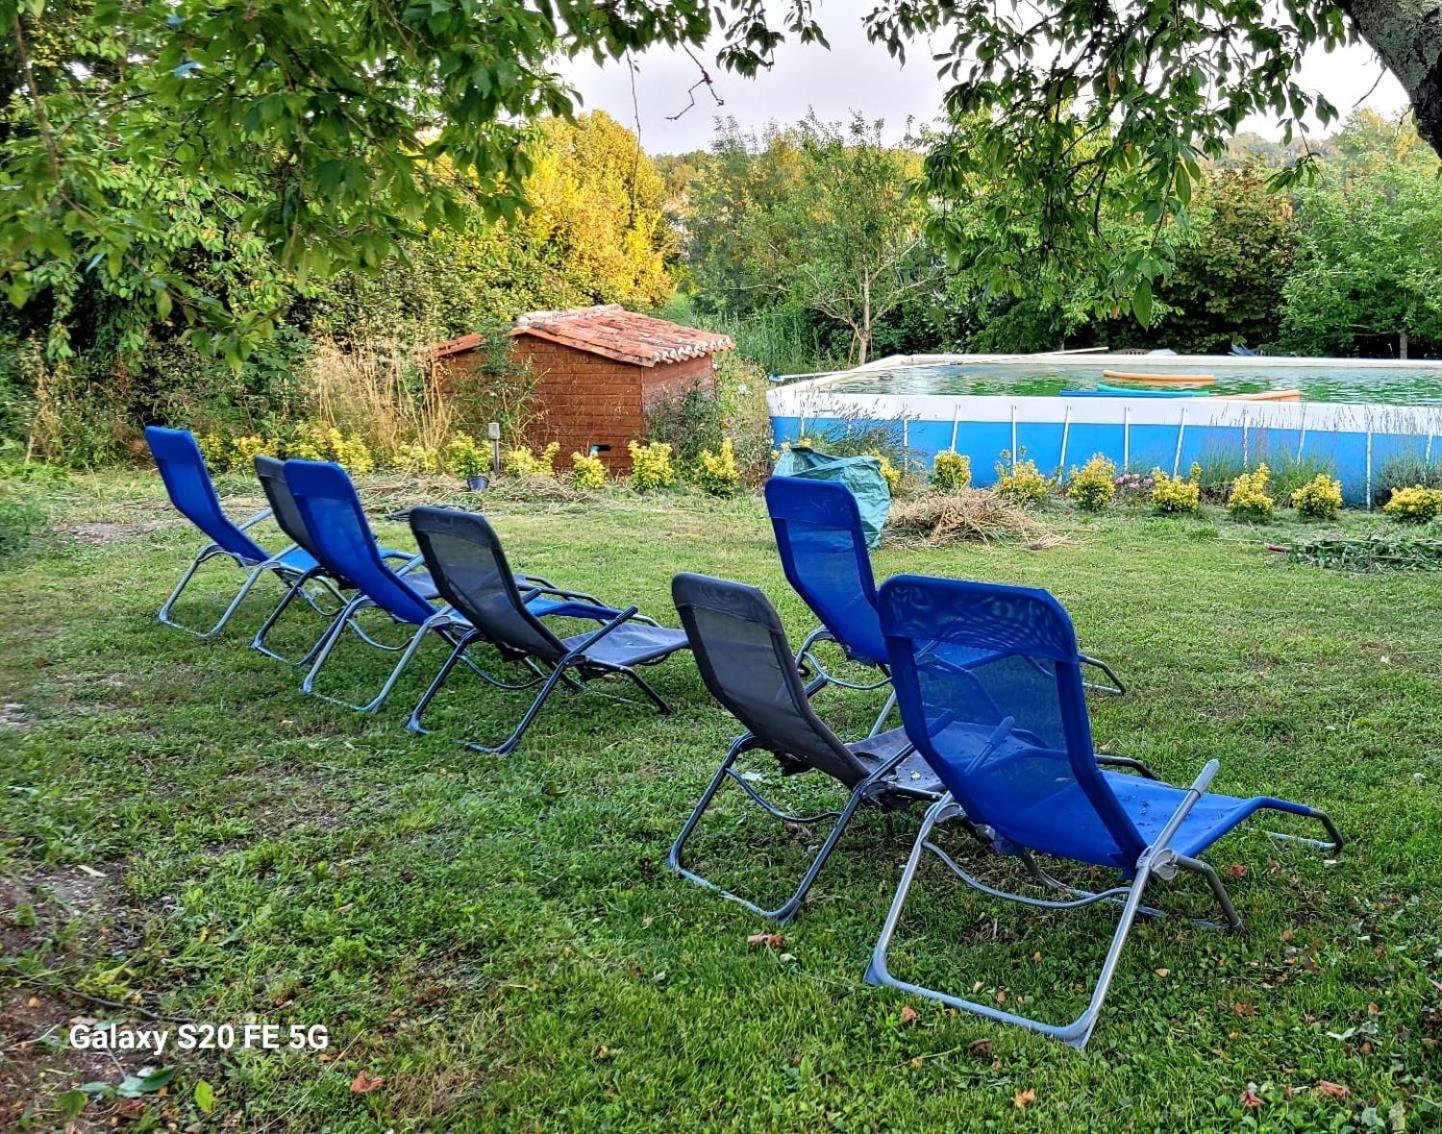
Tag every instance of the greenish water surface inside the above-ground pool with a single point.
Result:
(1327, 380)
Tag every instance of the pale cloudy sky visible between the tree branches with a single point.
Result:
(857, 76)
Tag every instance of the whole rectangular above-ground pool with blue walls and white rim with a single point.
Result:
(1353, 418)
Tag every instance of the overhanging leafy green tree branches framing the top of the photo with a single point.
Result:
(347, 109)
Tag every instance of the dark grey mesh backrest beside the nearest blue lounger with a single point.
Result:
(749, 667)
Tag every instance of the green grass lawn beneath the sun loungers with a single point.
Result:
(501, 943)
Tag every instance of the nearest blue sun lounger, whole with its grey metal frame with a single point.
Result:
(1013, 745)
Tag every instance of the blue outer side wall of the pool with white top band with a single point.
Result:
(1137, 434)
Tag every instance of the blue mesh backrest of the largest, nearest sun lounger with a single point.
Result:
(1009, 737)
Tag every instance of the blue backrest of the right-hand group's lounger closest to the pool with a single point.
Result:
(824, 555)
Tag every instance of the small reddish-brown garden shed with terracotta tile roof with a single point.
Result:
(598, 372)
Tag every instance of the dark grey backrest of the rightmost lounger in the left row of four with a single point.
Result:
(471, 572)
